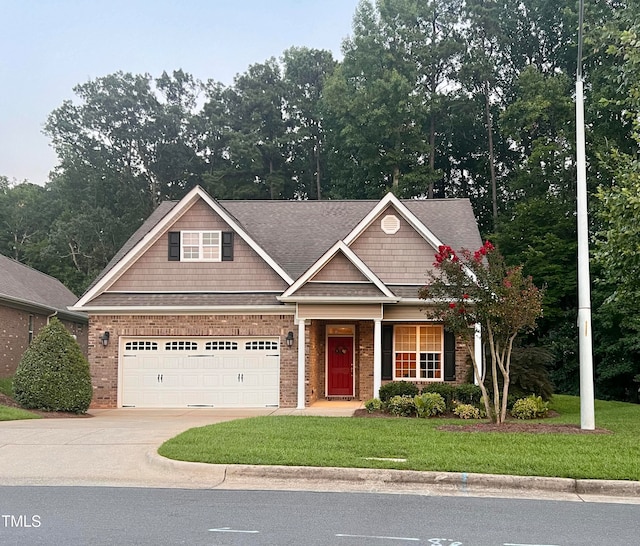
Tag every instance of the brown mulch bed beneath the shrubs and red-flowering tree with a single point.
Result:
(511, 425)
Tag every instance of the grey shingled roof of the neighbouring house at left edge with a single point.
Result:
(24, 287)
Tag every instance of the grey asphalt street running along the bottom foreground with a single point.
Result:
(89, 515)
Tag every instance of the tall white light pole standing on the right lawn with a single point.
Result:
(587, 412)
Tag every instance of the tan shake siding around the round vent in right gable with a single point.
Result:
(402, 258)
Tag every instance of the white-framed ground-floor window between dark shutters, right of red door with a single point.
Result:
(418, 352)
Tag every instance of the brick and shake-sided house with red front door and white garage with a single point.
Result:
(273, 303)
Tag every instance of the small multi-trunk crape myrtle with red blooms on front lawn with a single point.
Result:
(480, 289)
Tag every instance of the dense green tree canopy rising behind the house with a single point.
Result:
(432, 99)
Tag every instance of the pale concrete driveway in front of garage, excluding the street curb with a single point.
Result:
(112, 447)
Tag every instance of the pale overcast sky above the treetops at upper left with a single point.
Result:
(49, 46)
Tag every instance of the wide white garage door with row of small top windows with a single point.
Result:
(200, 372)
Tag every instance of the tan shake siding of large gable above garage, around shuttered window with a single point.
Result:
(153, 271)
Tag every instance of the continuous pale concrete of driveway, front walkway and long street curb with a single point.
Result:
(118, 448)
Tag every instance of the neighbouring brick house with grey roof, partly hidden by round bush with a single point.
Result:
(28, 298)
